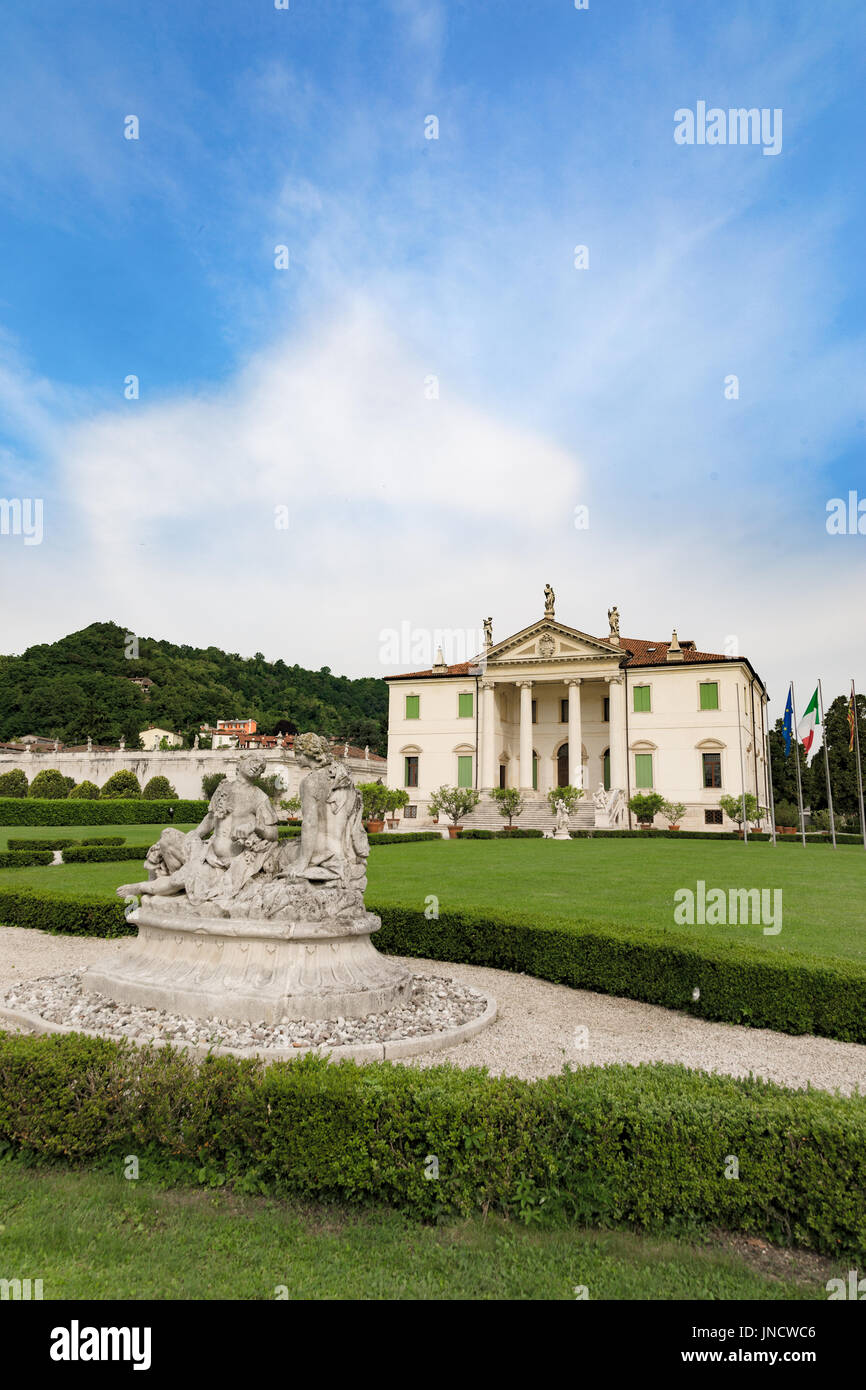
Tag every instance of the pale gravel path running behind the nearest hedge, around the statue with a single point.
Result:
(537, 1029)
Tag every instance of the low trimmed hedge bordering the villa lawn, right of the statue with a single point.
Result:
(790, 993)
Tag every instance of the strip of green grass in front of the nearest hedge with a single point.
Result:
(98, 1236)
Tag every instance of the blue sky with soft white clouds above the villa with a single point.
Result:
(454, 258)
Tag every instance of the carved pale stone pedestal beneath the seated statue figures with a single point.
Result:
(252, 971)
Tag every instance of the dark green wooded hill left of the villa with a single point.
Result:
(84, 686)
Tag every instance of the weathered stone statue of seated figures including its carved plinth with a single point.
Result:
(237, 924)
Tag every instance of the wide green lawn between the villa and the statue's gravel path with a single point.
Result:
(593, 881)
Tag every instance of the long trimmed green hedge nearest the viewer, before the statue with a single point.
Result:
(614, 1146)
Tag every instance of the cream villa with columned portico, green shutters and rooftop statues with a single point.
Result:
(554, 705)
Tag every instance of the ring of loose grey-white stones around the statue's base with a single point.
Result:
(436, 1006)
